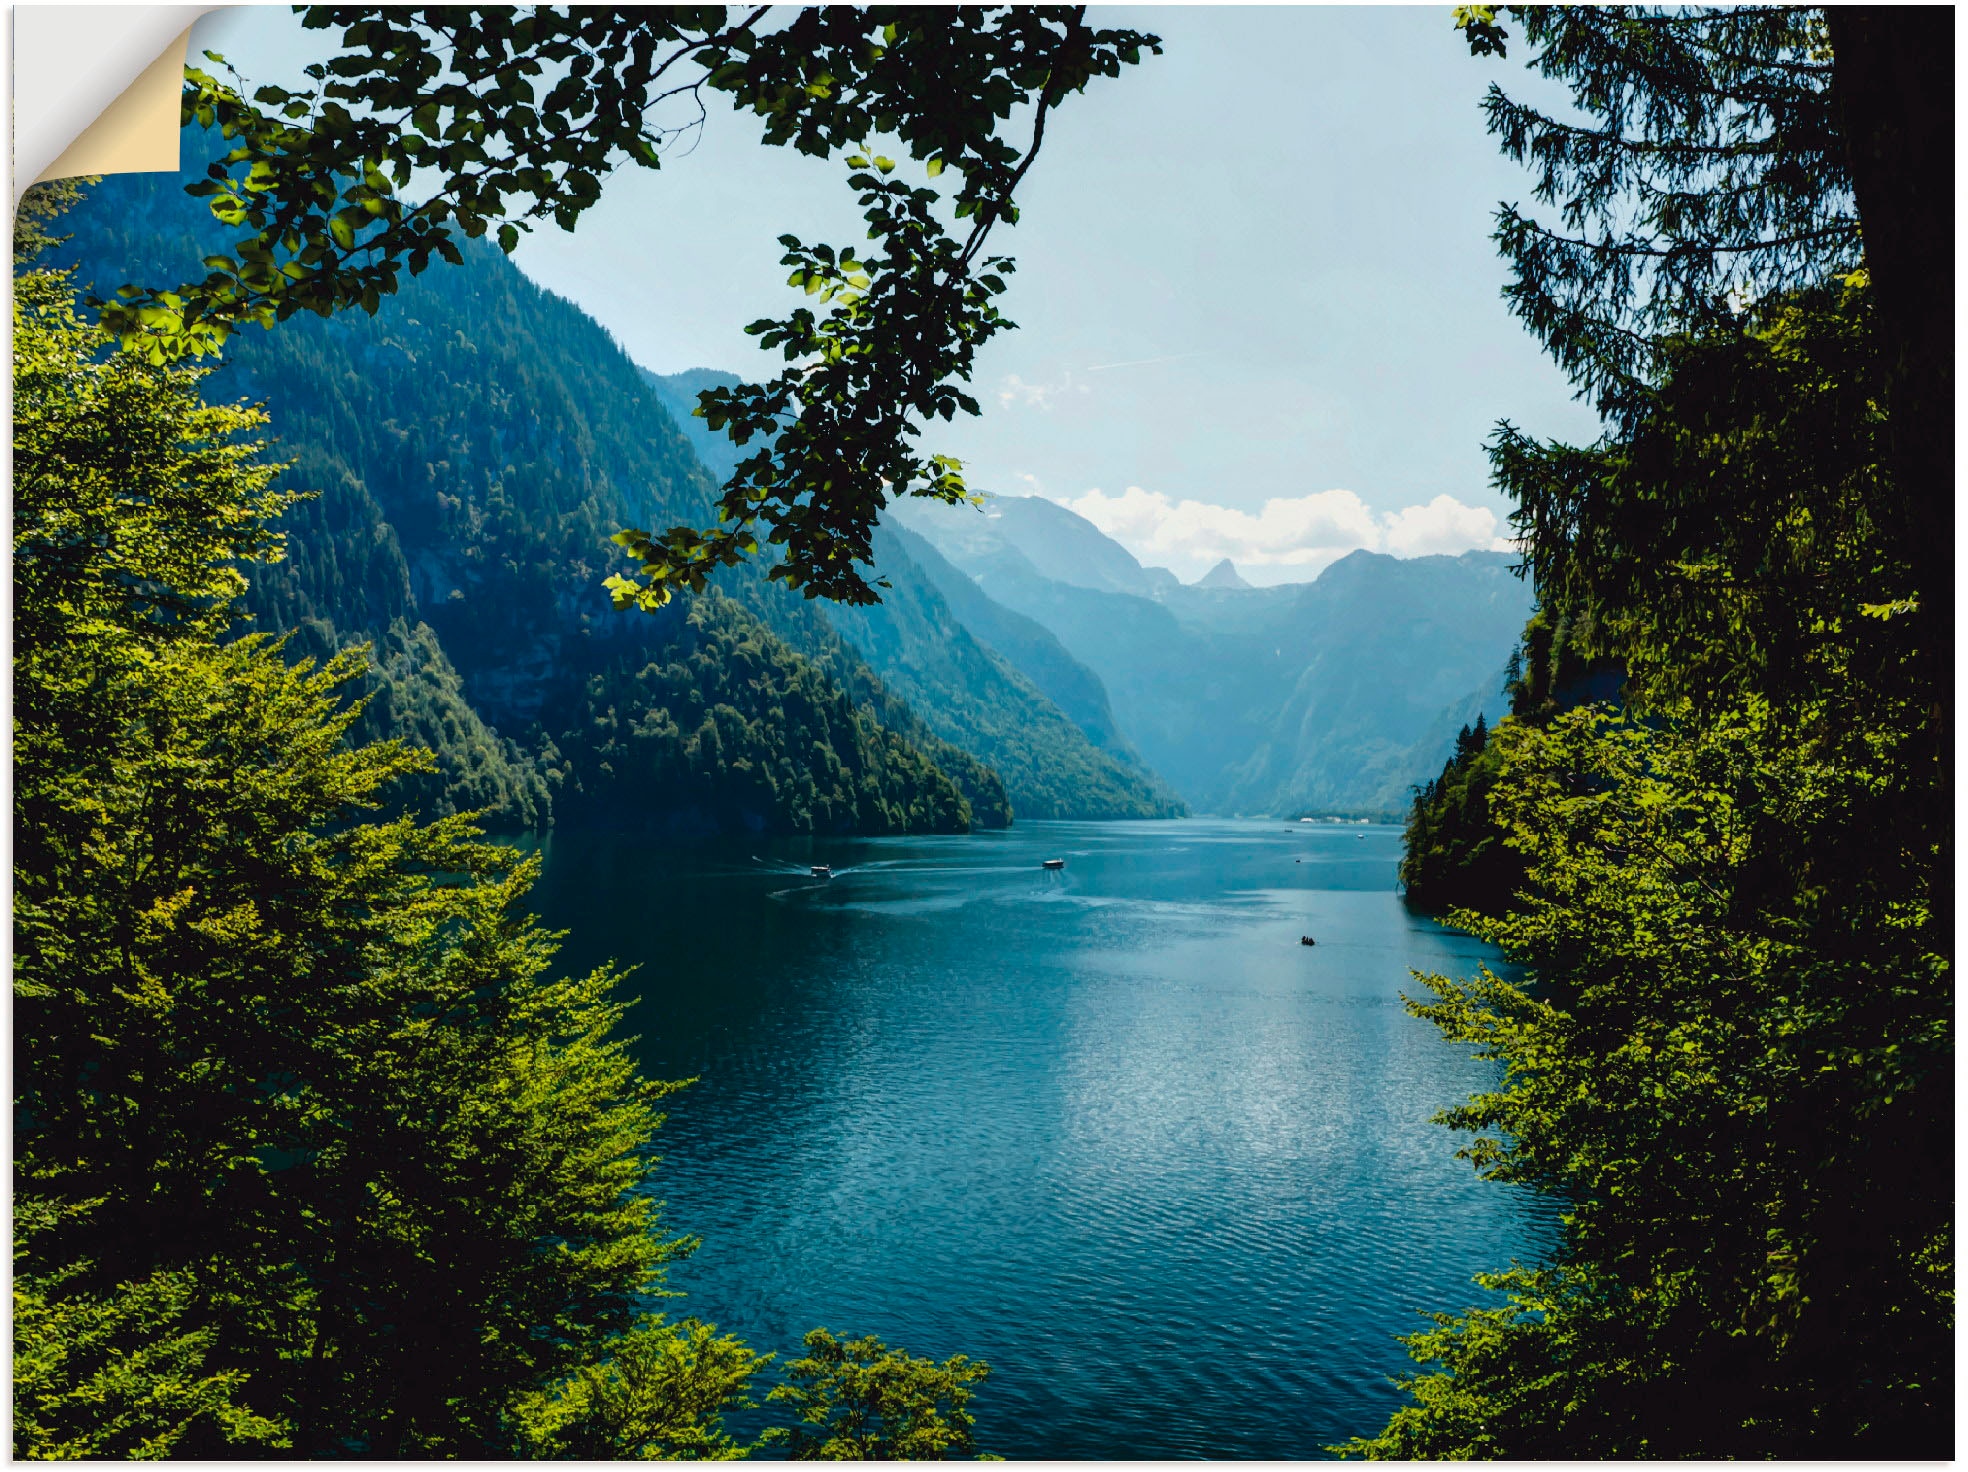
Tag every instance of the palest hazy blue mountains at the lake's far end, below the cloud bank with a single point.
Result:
(1323, 698)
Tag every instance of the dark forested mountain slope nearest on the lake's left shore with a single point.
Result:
(475, 444)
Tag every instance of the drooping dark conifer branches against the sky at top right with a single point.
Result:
(1709, 170)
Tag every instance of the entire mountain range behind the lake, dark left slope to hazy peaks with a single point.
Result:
(479, 440)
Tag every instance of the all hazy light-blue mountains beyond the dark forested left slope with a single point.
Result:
(1335, 696)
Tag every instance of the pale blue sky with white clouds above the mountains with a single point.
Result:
(1261, 310)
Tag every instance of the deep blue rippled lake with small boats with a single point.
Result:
(1109, 1129)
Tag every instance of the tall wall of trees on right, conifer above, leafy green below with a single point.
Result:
(1731, 1056)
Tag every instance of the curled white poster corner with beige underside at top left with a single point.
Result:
(97, 90)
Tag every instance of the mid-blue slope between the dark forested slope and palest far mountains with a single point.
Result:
(979, 674)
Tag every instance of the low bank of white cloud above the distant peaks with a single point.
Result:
(1290, 540)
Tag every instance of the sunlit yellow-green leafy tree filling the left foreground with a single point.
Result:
(312, 1146)
